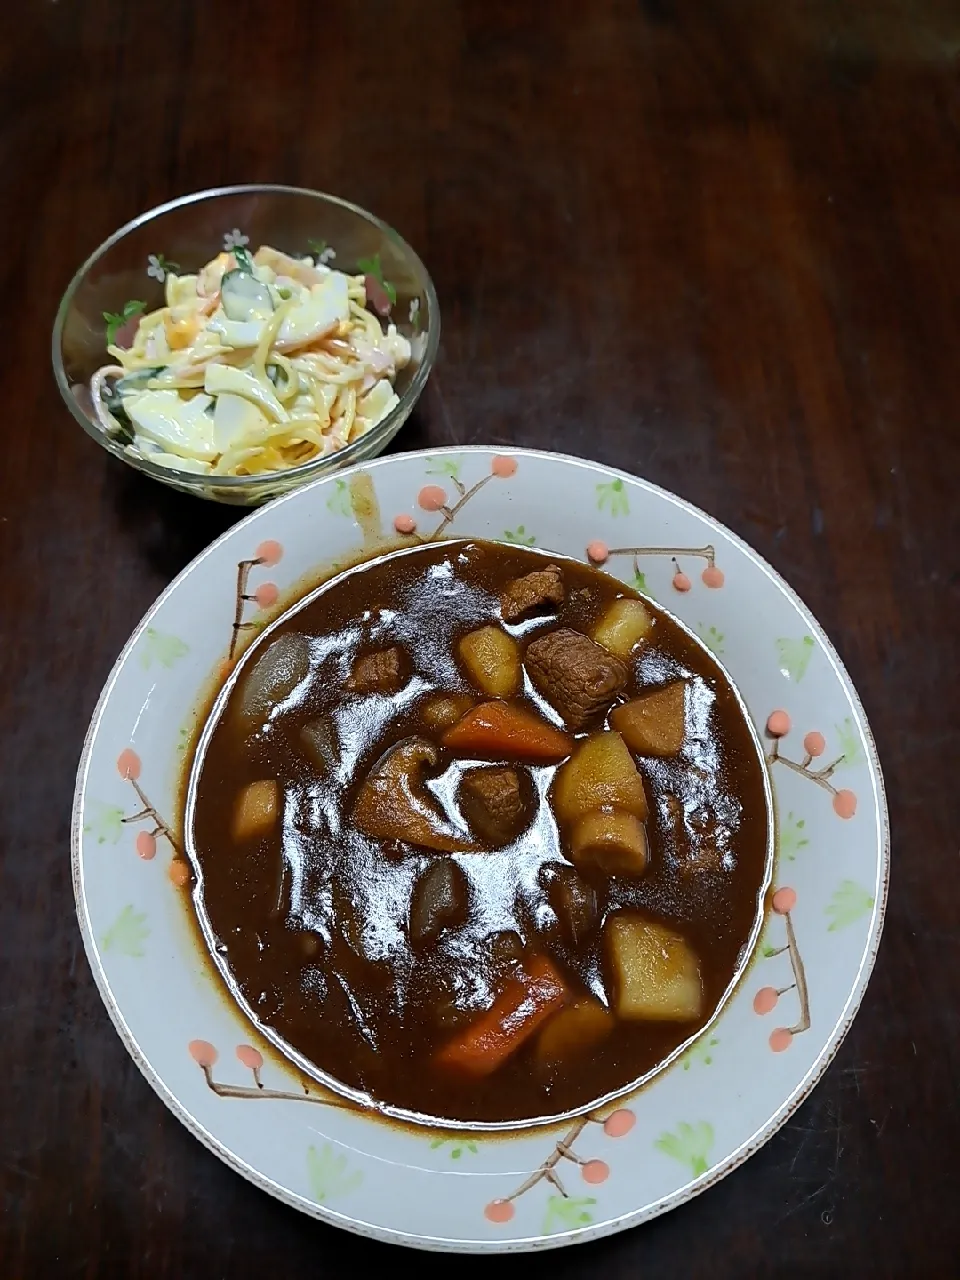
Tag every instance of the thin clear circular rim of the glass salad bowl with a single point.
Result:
(385, 429)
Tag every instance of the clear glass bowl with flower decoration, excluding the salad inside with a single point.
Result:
(130, 267)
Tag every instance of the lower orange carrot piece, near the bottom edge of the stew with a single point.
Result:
(525, 1004)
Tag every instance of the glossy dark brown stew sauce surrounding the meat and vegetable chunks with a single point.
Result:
(309, 925)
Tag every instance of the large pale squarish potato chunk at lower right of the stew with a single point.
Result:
(656, 973)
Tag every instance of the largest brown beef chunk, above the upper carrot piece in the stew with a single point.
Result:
(577, 676)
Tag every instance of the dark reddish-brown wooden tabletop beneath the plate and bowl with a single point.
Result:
(714, 244)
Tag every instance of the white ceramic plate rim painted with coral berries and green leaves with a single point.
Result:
(532, 1188)
